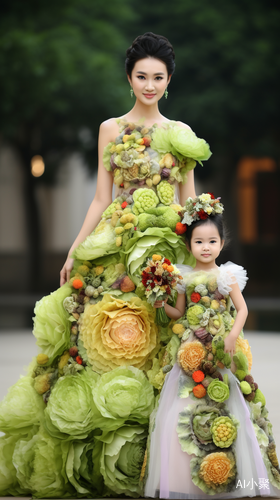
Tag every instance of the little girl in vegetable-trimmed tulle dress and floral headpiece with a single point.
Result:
(211, 434)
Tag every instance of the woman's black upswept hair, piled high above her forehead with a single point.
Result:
(151, 45)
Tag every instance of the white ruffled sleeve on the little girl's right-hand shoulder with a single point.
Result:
(229, 274)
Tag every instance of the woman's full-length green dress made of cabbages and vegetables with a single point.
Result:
(78, 424)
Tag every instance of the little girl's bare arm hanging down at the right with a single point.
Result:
(242, 313)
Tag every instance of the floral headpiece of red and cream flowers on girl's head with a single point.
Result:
(201, 207)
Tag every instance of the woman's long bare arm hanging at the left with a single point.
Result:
(103, 196)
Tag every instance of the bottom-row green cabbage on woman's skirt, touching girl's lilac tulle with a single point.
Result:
(122, 459)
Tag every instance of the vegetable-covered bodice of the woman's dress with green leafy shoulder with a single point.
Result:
(156, 158)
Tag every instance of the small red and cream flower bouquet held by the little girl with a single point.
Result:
(160, 279)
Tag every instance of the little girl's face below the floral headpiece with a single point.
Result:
(206, 244)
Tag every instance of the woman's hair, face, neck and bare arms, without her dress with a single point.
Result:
(149, 65)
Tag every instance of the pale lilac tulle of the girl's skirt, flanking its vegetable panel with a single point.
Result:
(169, 467)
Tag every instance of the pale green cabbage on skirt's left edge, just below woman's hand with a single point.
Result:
(51, 323)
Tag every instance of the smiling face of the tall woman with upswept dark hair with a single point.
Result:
(149, 80)
